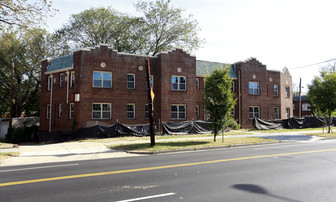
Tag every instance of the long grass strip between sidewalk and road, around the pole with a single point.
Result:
(188, 144)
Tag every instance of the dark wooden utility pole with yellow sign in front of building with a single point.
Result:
(150, 105)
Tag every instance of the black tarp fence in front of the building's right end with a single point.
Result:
(292, 123)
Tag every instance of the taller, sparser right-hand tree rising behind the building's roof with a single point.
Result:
(166, 28)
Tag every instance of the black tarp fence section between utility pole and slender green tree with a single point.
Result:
(186, 127)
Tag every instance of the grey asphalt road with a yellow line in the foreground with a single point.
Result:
(295, 171)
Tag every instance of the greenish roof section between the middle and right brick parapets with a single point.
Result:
(205, 67)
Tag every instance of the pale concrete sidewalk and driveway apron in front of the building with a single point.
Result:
(76, 151)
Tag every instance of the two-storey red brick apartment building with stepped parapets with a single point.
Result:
(100, 86)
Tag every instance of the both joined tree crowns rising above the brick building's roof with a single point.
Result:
(160, 29)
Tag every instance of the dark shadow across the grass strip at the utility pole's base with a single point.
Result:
(159, 145)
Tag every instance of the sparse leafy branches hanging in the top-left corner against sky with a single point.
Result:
(23, 13)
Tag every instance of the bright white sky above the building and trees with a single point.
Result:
(278, 33)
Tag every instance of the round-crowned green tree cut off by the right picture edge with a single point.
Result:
(322, 94)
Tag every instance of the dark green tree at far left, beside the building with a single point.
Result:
(26, 49)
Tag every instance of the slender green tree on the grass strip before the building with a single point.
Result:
(218, 98)
